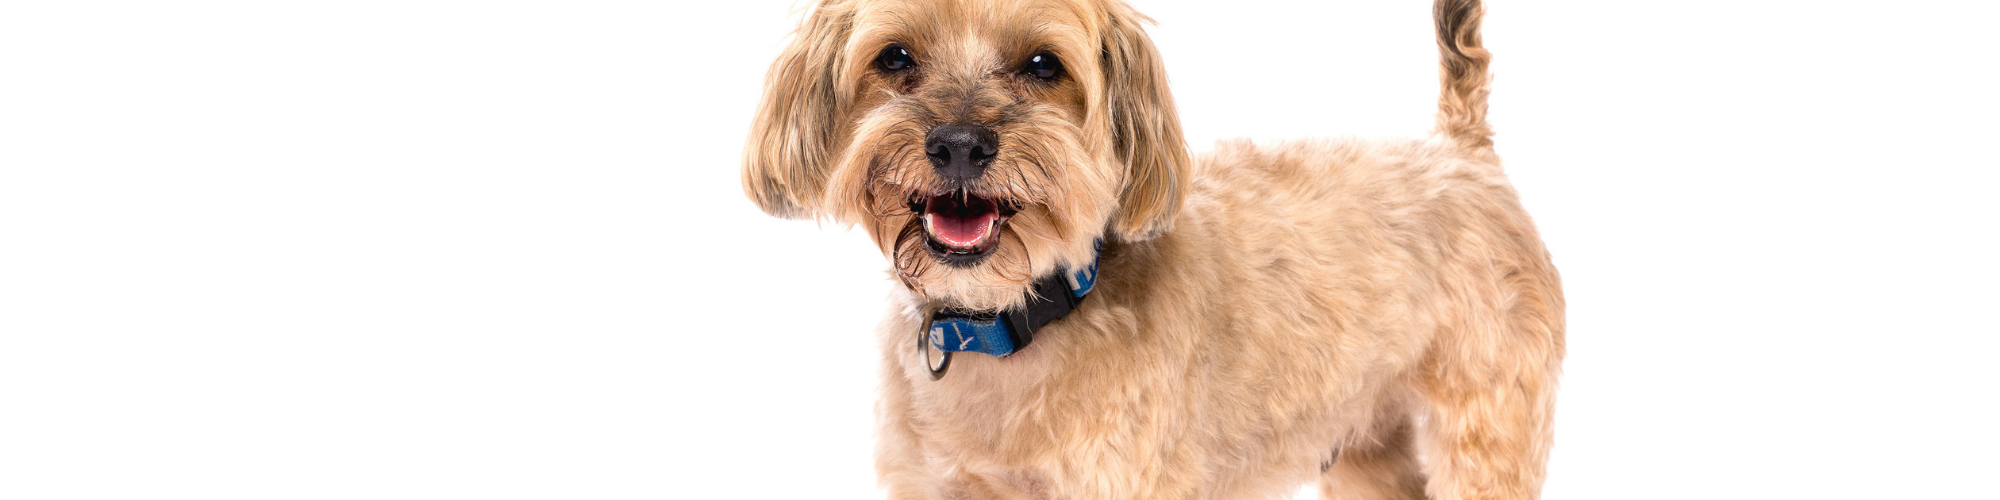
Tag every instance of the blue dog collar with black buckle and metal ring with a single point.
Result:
(1011, 331)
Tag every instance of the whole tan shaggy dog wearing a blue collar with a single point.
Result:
(1089, 311)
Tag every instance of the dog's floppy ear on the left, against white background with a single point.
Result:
(787, 157)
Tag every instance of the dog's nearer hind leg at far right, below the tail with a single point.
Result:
(1489, 381)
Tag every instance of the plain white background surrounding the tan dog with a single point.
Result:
(499, 249)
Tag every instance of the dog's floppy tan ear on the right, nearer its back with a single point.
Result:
(1145, 129)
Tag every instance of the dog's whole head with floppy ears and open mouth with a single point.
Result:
(981, 143)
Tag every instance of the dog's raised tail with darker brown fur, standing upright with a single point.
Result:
(1463, 75)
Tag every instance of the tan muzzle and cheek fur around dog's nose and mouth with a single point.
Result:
(1057, 193)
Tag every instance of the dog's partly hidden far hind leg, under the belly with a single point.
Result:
(1379, 469)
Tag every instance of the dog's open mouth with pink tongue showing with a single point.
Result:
(963, 227)
